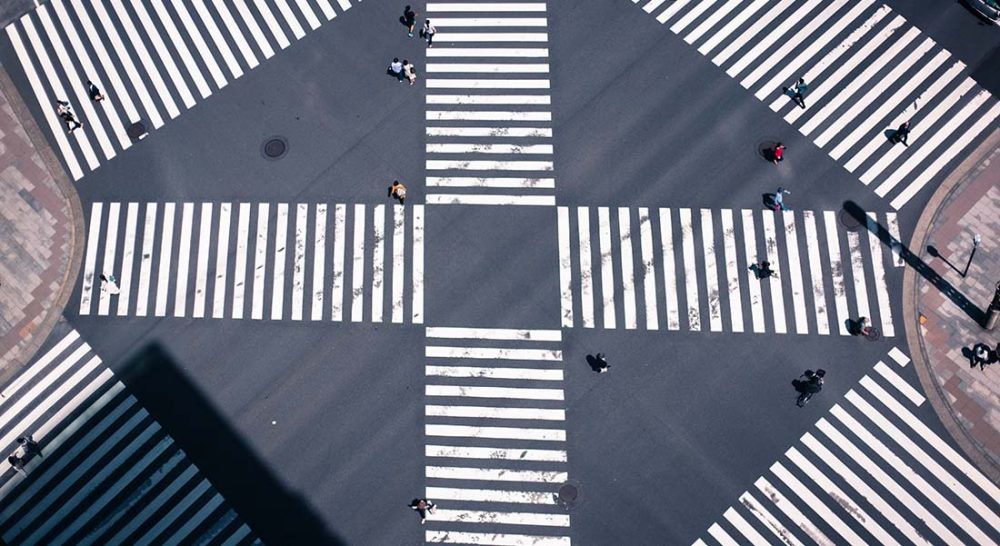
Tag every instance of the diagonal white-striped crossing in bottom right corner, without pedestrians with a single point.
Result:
(871, 473)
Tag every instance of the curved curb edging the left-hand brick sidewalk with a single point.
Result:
(55, 168)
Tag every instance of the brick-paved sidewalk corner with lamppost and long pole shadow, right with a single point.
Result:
(967, 399)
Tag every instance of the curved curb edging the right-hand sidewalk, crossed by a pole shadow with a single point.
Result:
(938, 399)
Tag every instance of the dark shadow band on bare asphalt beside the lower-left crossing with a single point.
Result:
(276, 514)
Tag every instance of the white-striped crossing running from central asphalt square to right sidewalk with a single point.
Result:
(692, 269)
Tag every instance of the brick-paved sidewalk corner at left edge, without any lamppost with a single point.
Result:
(41, 234)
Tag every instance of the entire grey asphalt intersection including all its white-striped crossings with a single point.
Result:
(582, 178)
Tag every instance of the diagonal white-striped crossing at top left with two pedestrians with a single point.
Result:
(151, 59)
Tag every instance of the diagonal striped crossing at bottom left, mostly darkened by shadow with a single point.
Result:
(107, 473)
